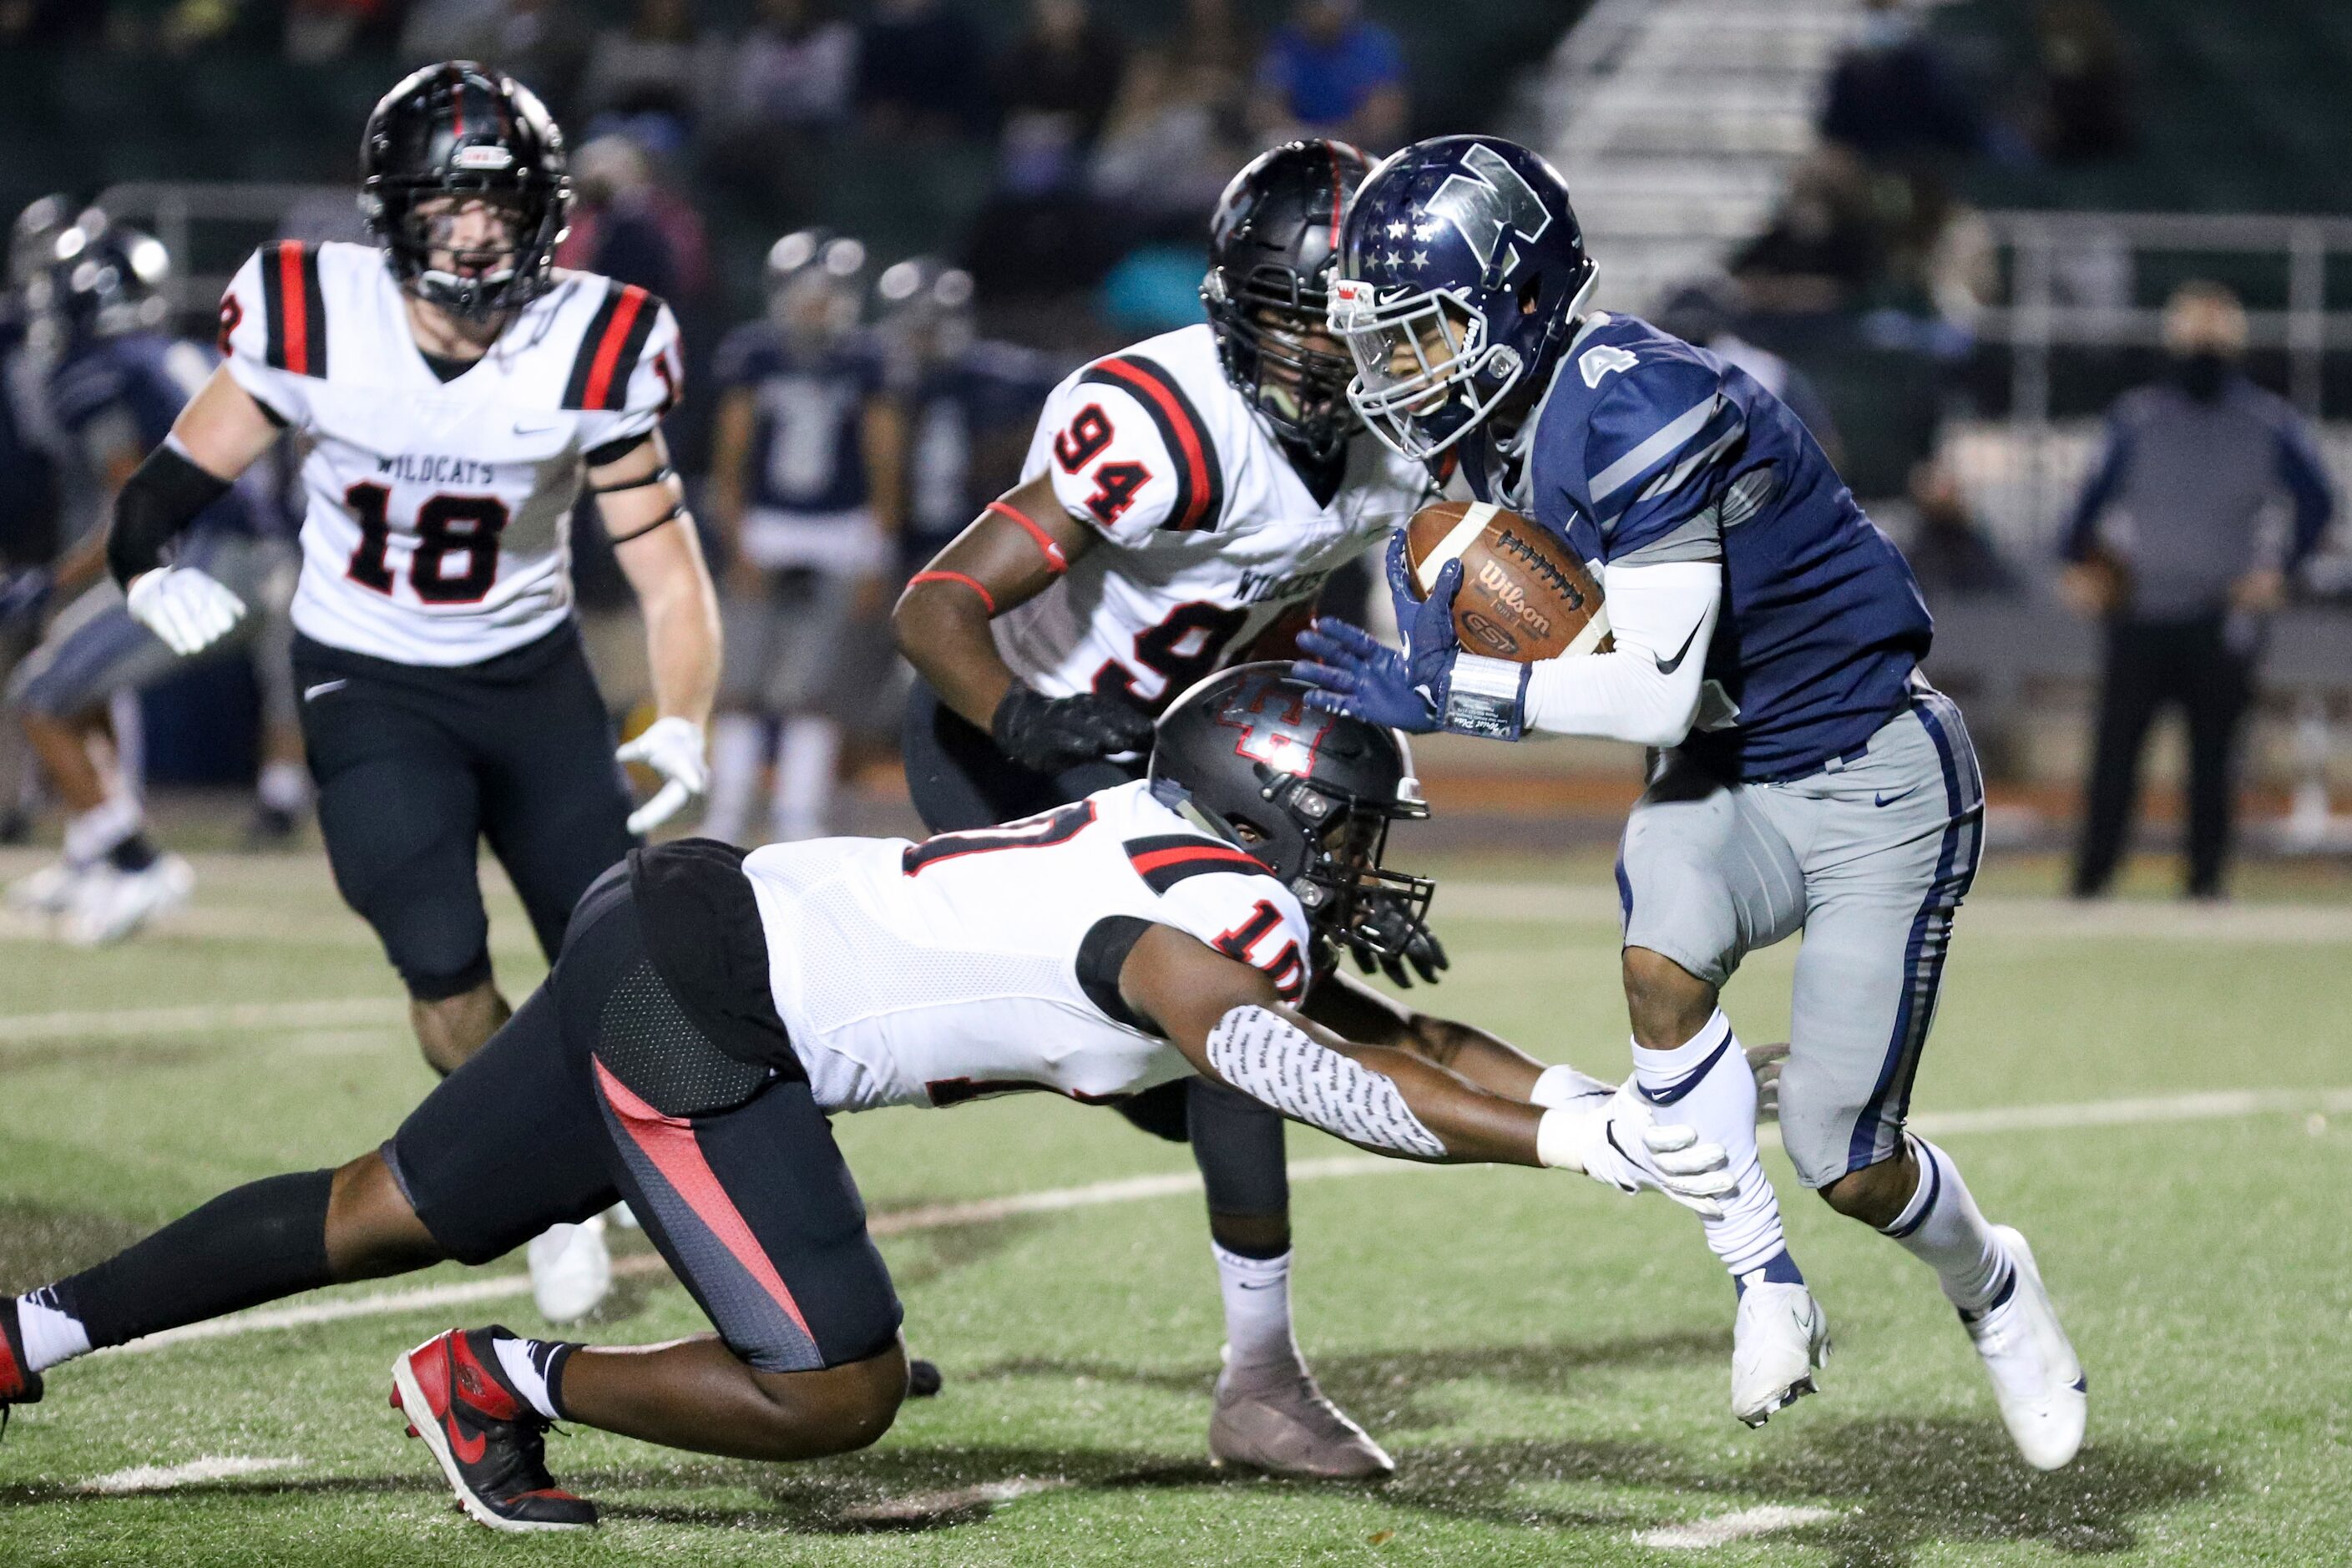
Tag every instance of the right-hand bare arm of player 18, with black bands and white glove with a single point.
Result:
(653, 537)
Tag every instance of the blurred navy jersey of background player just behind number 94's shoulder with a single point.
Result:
(954, 410)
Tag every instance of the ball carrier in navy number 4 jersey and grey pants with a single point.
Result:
(1768, 641)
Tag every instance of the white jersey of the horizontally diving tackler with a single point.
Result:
(987, 963)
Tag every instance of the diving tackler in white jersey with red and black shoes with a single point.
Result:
(711, 1007)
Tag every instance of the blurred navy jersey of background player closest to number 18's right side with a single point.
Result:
(808, 448)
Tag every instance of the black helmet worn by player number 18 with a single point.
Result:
(467, 130)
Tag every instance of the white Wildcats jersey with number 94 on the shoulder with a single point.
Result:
(1210, 537)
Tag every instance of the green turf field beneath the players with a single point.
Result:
(1546, 1362)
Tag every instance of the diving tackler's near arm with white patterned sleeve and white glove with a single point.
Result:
(1231, 1026)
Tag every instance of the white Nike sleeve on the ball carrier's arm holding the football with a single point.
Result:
(1648, 690)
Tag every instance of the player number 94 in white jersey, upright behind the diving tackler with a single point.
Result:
(1184, 504)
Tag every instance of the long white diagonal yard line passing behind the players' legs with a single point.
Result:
(2219, 1106)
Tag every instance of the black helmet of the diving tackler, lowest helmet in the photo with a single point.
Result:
(1309, 793)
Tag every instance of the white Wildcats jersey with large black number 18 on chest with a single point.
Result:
(434, 528)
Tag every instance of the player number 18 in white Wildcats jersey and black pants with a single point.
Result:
(455, 391)
